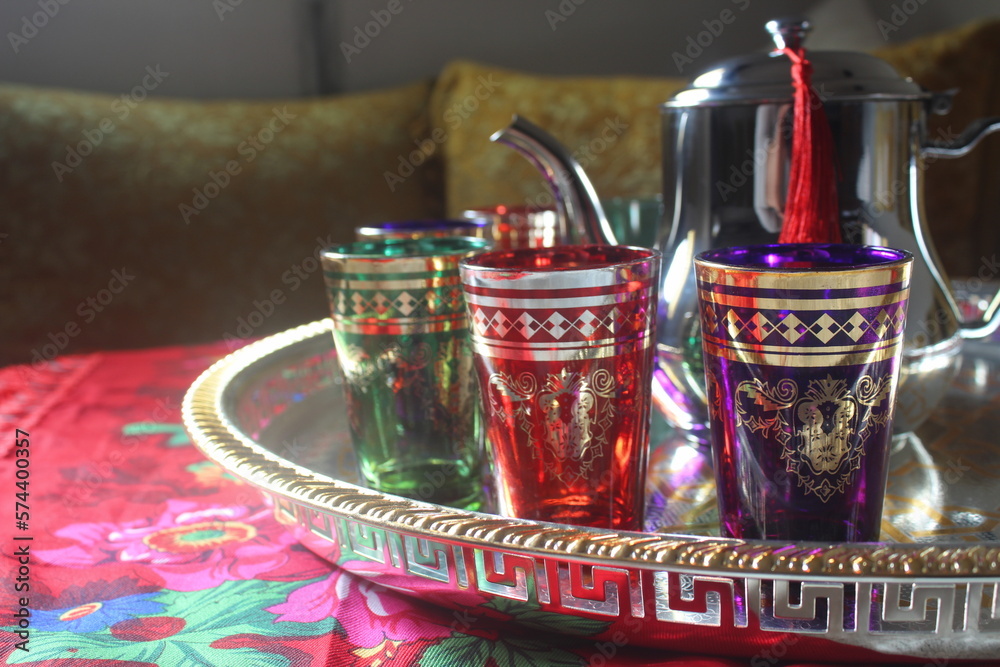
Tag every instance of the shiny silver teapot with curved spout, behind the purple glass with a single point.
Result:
(726, 155)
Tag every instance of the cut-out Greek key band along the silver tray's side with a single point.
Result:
(815, 607)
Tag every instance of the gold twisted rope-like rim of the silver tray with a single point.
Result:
(221, 441)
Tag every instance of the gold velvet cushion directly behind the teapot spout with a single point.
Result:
(612, 126)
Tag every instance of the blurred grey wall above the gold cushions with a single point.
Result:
(292, 48)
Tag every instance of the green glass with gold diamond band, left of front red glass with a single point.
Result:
(402, 338)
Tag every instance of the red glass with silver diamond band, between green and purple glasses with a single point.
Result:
(563, 345)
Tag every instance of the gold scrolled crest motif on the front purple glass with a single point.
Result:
(822, 430)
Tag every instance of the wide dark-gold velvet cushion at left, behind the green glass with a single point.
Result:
(134, 223)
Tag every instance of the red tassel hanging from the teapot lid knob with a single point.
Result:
(811, 210)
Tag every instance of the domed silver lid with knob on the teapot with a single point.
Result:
(766, 78)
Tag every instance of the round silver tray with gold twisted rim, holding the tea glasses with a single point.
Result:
(273, 414)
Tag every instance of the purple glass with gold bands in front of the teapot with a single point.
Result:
(801, 350)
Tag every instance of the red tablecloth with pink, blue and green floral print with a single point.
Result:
(129, 548)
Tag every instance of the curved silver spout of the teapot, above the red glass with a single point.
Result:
(577, 202)
